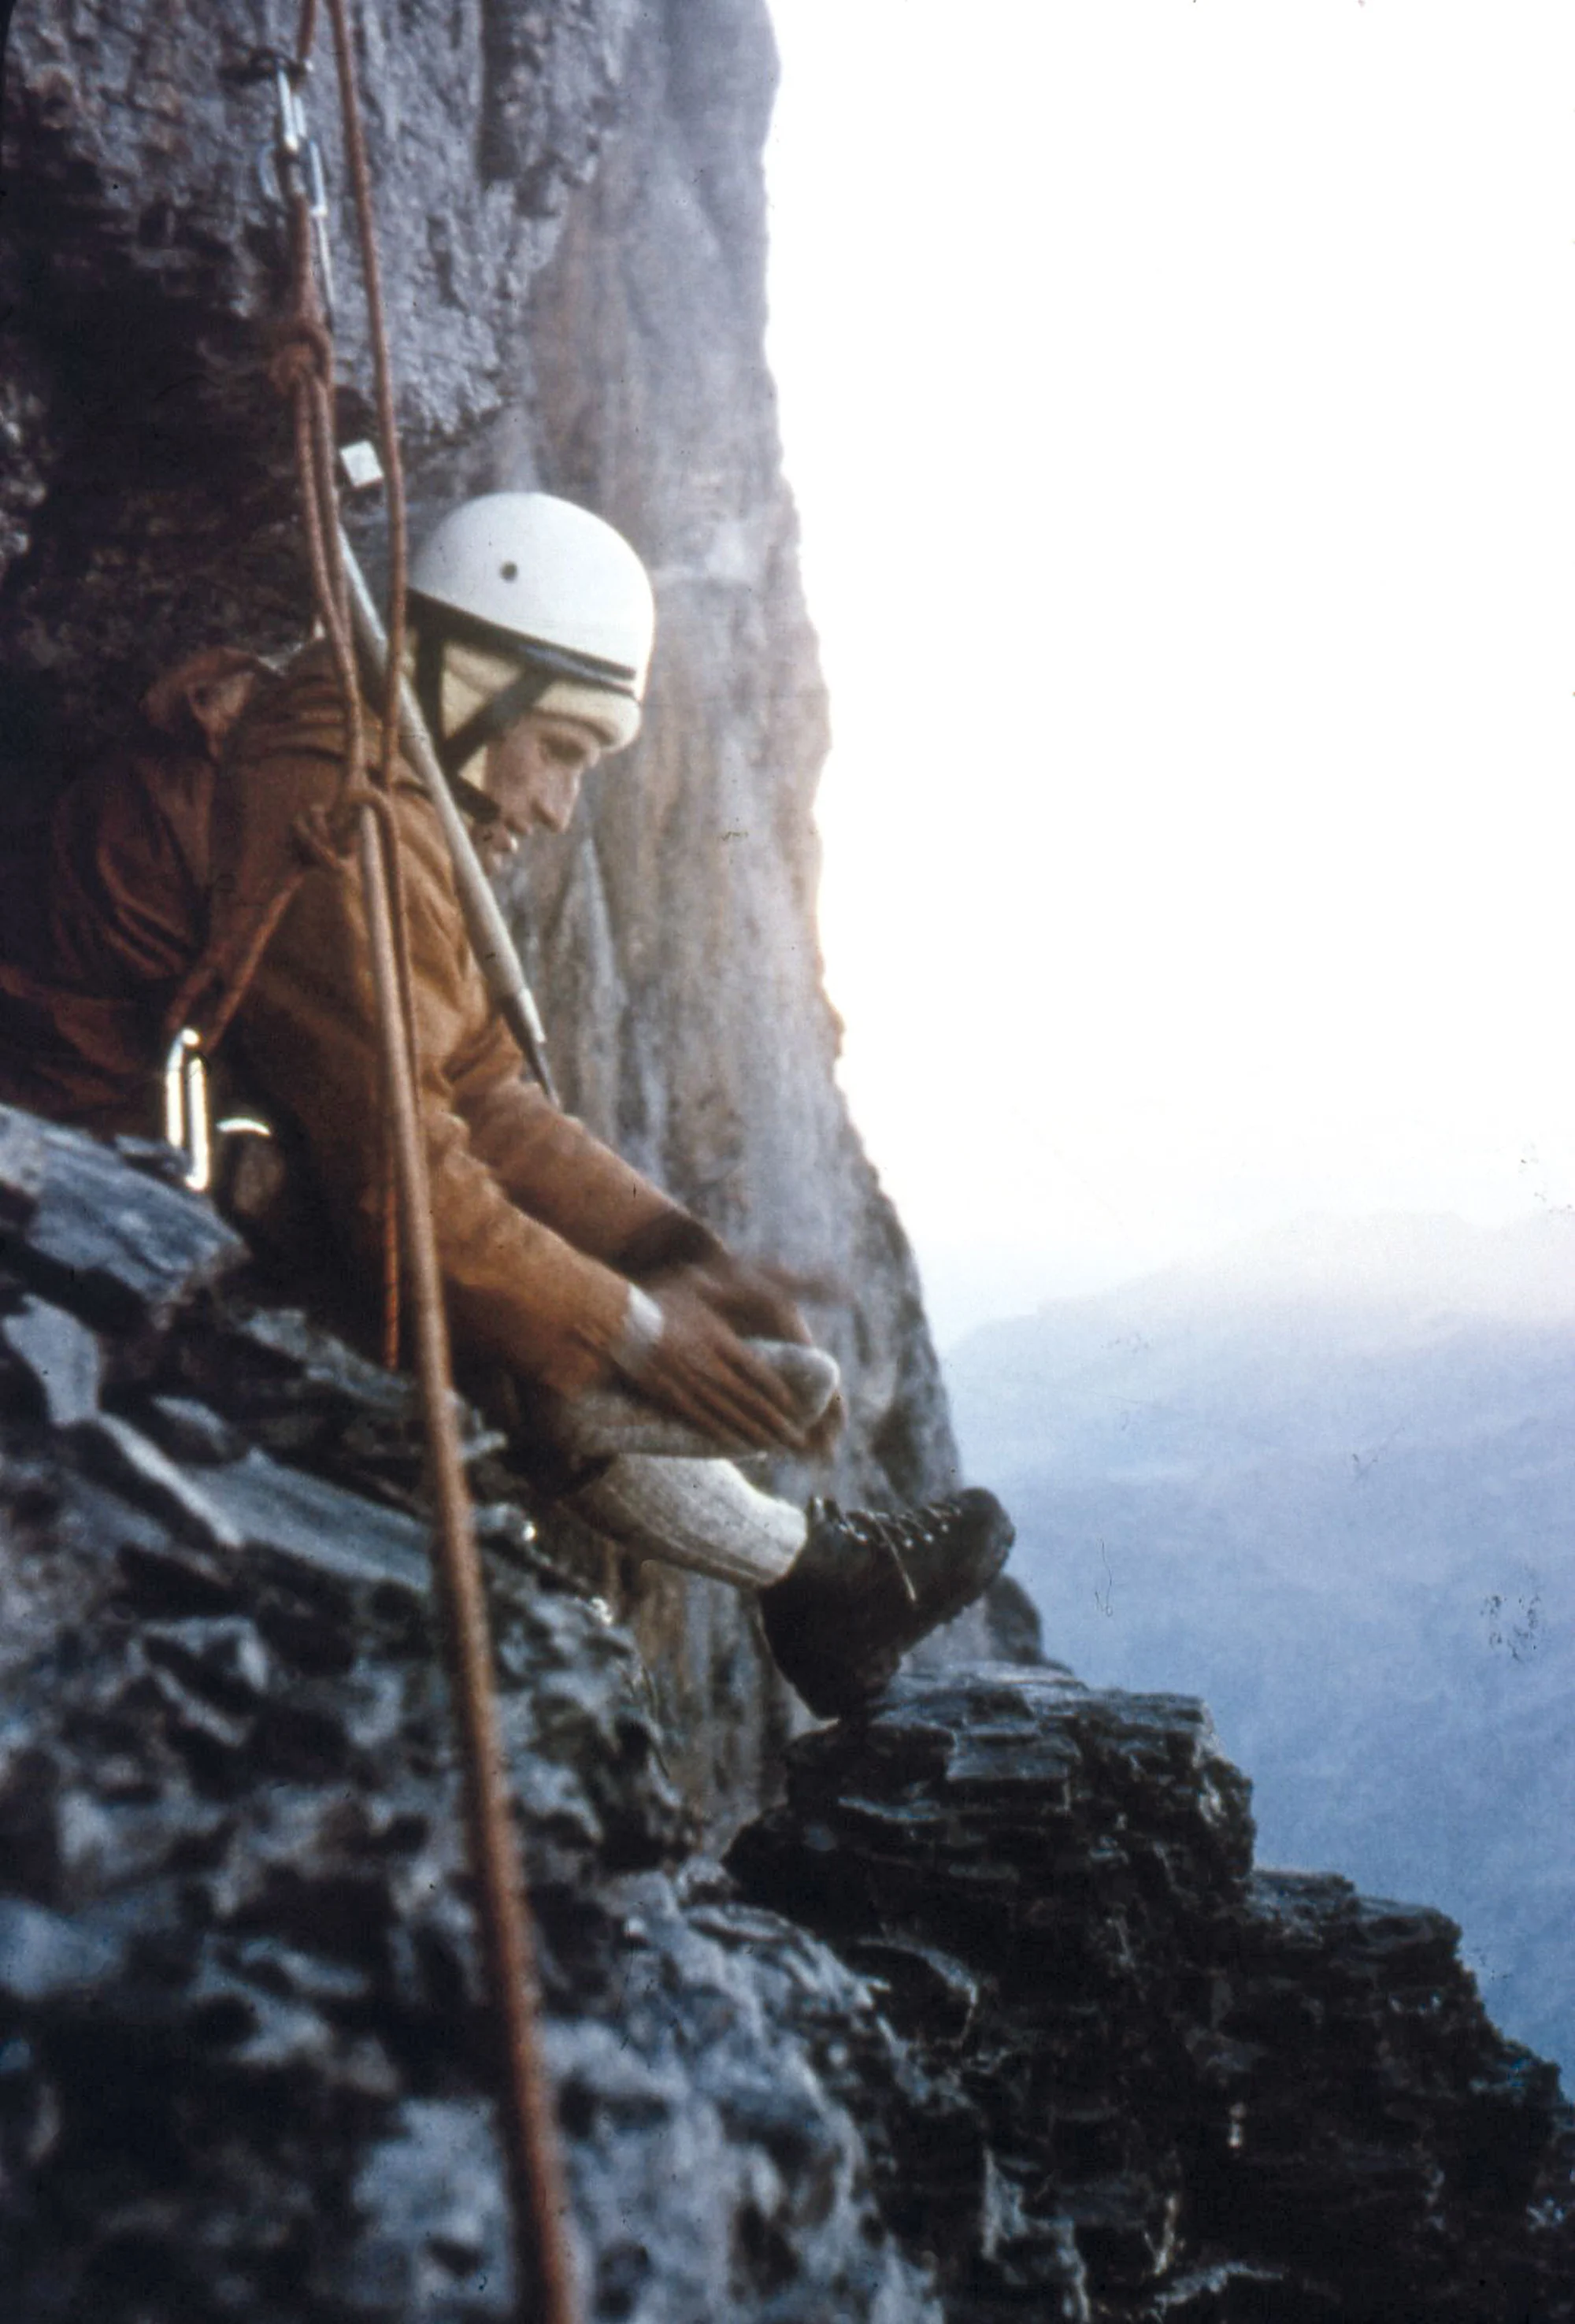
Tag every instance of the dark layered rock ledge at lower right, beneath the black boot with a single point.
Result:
(1198, 2090)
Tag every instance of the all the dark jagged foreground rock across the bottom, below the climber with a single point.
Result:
(991, 2018)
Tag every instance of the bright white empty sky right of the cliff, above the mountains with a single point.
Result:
(1181, 408)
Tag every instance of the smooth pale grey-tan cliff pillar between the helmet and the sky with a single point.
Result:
(675, 928)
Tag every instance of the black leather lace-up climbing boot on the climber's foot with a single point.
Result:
(868, 1586)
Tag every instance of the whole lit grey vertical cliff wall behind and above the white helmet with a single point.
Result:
(573, 229)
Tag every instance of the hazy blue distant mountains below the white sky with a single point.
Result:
(1330, 1484)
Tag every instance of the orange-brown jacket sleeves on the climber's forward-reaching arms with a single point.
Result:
(526, 1205)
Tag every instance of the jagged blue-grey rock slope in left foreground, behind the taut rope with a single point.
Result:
(245, 2060)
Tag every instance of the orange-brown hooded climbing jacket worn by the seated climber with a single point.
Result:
(161, 873)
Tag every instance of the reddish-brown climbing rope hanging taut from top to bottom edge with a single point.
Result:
(366, 815)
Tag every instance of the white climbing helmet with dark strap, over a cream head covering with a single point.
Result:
(552, 591)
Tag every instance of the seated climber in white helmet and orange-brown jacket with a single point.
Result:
(638, 1349)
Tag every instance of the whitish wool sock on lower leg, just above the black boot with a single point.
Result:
(693, 1514)
